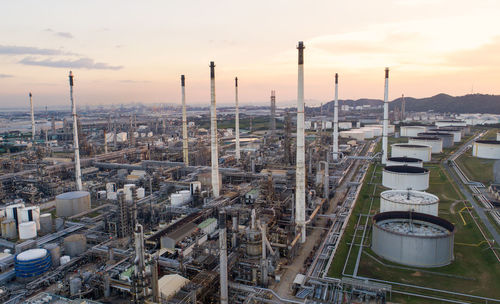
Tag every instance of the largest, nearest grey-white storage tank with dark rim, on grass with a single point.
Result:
(413, 239)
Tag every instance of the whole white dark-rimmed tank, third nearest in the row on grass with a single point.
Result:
(405, 177)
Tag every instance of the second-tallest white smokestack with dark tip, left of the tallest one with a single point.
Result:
(213, 133)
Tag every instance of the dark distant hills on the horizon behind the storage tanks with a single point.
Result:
(441, 103)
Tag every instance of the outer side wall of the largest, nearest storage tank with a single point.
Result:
(411, 250)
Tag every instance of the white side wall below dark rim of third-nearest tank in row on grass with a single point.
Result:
(404, 181)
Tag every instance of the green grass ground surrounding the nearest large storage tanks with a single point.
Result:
(474, 271)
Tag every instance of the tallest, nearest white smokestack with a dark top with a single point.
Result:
(300, 171)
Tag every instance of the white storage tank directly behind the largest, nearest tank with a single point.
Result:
(409, 200)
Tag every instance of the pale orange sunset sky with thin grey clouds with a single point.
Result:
(135, 51)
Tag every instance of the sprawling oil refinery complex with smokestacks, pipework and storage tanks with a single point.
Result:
(247, 204)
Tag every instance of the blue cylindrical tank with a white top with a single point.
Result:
(32, 263)
